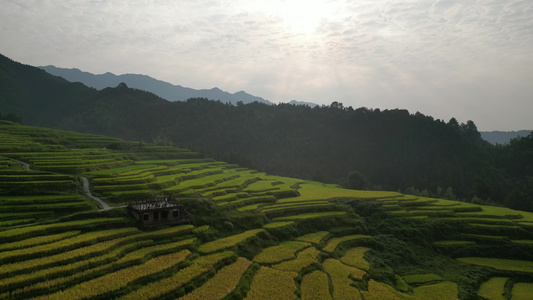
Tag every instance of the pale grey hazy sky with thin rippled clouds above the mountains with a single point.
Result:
(468, 59)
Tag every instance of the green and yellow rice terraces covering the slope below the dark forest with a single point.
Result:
(67, 231)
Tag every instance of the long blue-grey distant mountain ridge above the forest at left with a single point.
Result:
(161, 88)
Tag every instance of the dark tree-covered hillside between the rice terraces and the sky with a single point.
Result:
(392, 149)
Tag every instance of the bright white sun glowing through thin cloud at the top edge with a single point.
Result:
(304, 17)
